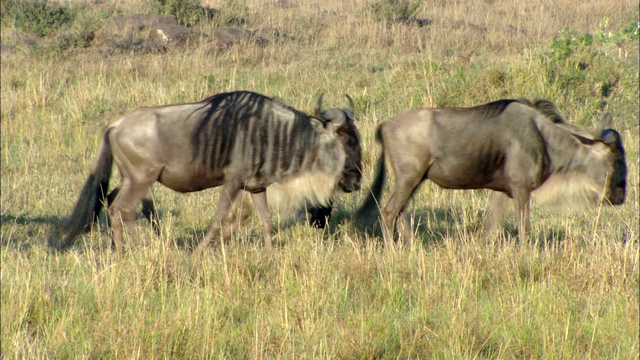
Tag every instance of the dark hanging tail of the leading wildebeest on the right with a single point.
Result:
(369, 212)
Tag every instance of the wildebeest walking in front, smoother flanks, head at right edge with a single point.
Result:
(510, 146)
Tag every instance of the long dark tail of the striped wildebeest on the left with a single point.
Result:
(92, 196)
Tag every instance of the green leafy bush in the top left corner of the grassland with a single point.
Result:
(37, 17)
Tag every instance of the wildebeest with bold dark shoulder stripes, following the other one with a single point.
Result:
(240, 140)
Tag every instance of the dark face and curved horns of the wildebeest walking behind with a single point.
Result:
(349, 136)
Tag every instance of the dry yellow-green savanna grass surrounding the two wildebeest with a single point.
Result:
(571, 294)
